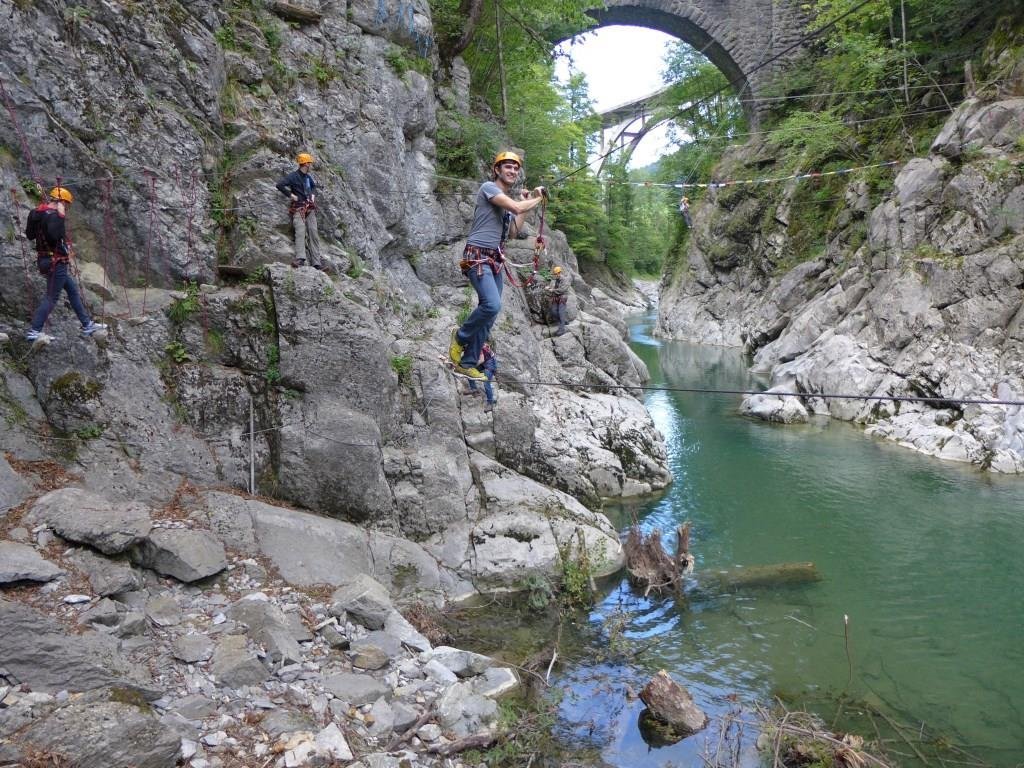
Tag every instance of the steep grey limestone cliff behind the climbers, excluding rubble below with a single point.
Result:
(172, 122)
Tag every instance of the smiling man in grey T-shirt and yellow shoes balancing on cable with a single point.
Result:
(495, 218)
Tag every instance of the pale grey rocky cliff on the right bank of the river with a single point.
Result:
(921, 293)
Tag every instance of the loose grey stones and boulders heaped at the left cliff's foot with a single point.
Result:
(153, 639)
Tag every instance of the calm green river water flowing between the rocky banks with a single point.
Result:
(925, 558)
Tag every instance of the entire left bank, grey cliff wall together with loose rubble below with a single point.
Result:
(173, 592)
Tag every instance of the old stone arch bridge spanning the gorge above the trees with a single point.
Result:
(738, 36)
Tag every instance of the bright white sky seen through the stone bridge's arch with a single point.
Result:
(621, 64)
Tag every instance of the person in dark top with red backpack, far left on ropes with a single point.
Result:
(54, 252)
